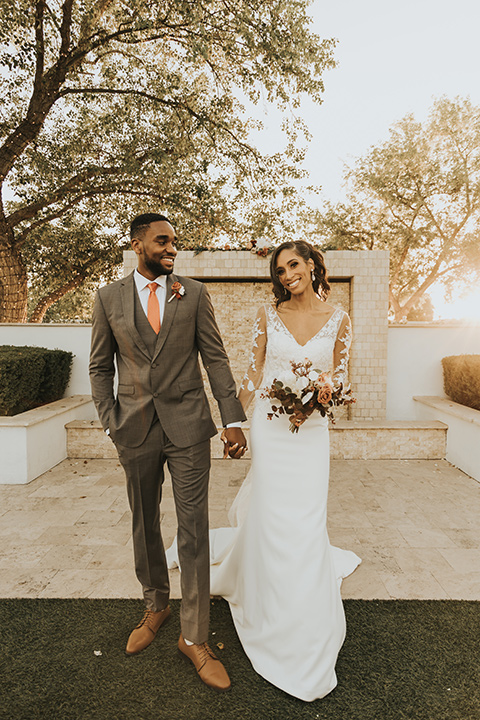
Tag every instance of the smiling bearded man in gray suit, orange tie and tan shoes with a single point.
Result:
(150, 329)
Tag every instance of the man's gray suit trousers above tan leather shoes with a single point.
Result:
(189, 468)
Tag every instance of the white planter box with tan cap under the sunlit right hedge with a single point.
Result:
(463, 434)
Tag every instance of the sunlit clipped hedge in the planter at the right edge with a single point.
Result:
(461, 378)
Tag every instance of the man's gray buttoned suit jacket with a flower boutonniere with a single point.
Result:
(161, 375)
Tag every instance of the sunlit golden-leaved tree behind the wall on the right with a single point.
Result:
(418, 196)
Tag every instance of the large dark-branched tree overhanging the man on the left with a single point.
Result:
(109, 107)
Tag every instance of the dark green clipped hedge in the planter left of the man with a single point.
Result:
(31, 376)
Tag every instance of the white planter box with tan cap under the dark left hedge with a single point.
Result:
(34, 441)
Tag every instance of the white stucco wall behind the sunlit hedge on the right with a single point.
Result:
(415, 352)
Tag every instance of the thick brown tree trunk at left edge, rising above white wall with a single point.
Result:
(13, 283)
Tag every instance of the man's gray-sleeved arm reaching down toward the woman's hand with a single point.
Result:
(215, 361)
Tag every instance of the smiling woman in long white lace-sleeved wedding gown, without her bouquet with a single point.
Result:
(276, 566)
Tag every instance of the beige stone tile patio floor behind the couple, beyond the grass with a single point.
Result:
(415, 523)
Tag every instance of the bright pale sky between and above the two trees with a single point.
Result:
(393, 58)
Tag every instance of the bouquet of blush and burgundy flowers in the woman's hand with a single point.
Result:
(303, 392)
